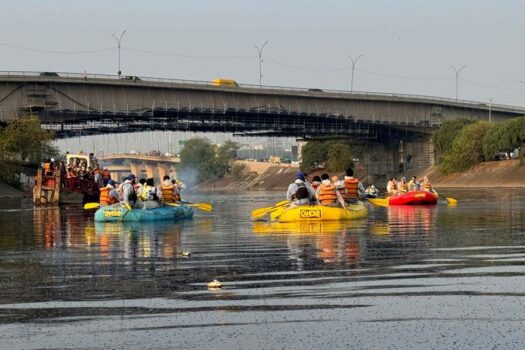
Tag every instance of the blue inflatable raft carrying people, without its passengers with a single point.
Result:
(118, 213)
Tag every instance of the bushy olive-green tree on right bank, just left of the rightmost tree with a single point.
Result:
(467, 148)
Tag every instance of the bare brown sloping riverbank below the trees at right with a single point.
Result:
(500, 174)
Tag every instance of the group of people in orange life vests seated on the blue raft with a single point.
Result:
(142, 194)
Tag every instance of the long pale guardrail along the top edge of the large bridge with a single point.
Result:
(128, 78)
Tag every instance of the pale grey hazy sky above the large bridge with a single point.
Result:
(407, 46)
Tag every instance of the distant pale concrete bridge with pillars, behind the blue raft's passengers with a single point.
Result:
(142, 165)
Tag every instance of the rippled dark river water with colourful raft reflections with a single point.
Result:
(407, 278)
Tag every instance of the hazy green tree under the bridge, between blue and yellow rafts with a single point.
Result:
(200, 160)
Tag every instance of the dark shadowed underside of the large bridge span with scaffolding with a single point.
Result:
(240, 122)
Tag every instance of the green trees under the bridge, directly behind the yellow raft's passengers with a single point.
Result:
(334, 155)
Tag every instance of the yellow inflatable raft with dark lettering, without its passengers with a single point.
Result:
(306, 213)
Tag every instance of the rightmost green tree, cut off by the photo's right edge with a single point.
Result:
(504, 137)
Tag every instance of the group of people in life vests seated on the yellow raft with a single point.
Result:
(325, 190)
